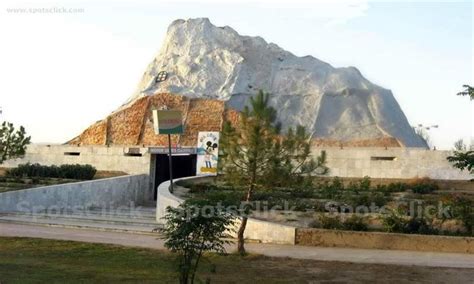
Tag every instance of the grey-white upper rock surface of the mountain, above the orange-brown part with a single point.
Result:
(206, 61)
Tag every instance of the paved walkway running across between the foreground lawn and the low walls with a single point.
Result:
(302, 252)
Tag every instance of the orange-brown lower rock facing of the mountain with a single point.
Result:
(133, 125)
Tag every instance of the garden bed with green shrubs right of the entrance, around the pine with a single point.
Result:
(354, 205)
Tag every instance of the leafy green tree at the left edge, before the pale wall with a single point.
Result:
(12, 142)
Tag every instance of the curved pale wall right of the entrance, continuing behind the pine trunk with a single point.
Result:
(258, 230)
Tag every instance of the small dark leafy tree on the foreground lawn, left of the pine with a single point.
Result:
(192, 229)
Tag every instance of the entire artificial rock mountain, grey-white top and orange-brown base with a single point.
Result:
(213, 71)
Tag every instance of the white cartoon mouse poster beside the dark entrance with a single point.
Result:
(207, 153)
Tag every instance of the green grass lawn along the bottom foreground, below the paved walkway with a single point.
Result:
(26, 260)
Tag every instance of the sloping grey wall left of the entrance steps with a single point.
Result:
(109, 192)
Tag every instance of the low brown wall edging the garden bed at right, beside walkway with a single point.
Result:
(376, 240)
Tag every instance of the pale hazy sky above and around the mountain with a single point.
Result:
(62, 71)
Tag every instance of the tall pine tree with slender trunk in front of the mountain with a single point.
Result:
(255, 155)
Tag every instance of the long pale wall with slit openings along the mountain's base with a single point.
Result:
(345, 162)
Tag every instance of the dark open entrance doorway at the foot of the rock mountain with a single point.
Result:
(183, 165)
